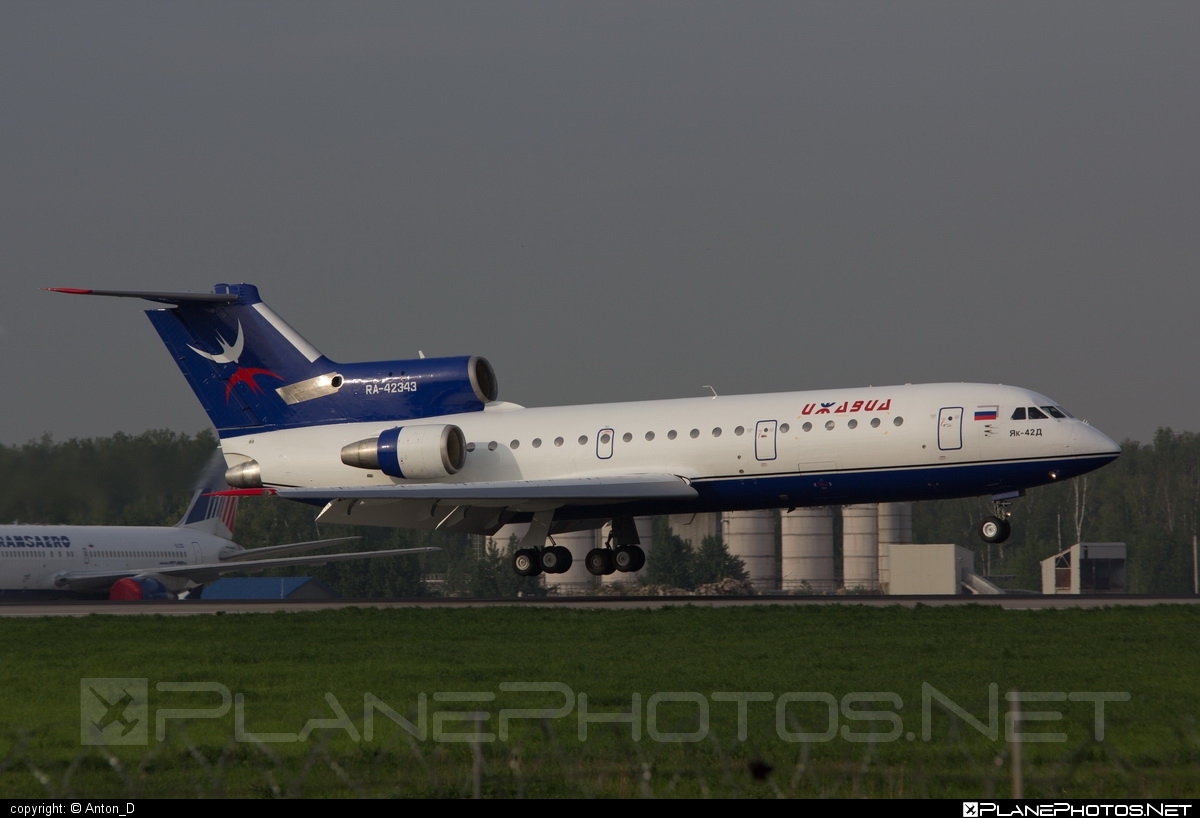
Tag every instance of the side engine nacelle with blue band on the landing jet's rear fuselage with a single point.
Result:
(412, 453)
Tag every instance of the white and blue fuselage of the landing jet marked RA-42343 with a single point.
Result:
(857, 446)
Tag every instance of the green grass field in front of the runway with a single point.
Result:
(764, 701)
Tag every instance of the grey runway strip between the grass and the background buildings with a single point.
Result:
(201, 608)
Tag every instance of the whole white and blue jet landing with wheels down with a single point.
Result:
(425, 443)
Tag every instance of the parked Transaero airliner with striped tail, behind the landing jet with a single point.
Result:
(146, 562)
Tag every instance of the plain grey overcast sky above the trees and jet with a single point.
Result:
(611, 201)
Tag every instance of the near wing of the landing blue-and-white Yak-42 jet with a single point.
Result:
(575, 491)
